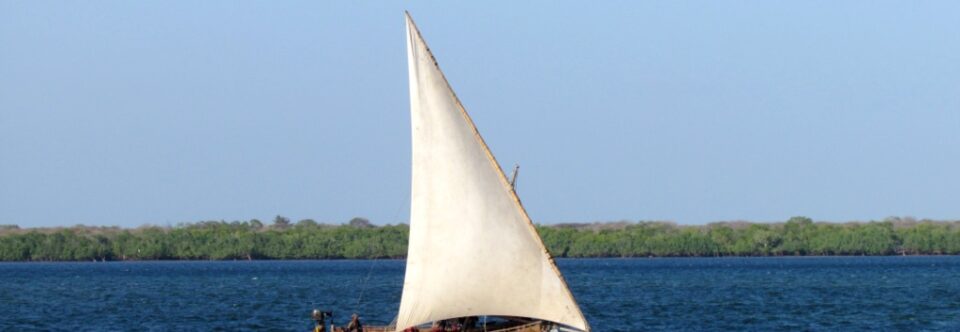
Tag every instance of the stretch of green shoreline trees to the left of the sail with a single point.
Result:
(207, 240)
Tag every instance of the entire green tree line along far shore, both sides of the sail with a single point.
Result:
(307, 239)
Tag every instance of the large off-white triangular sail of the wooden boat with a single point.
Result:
(473, 250)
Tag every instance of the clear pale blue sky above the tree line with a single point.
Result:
(127, 113)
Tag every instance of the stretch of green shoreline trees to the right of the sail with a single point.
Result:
(799, 236)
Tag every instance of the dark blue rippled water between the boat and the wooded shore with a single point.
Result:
(689, 294)
